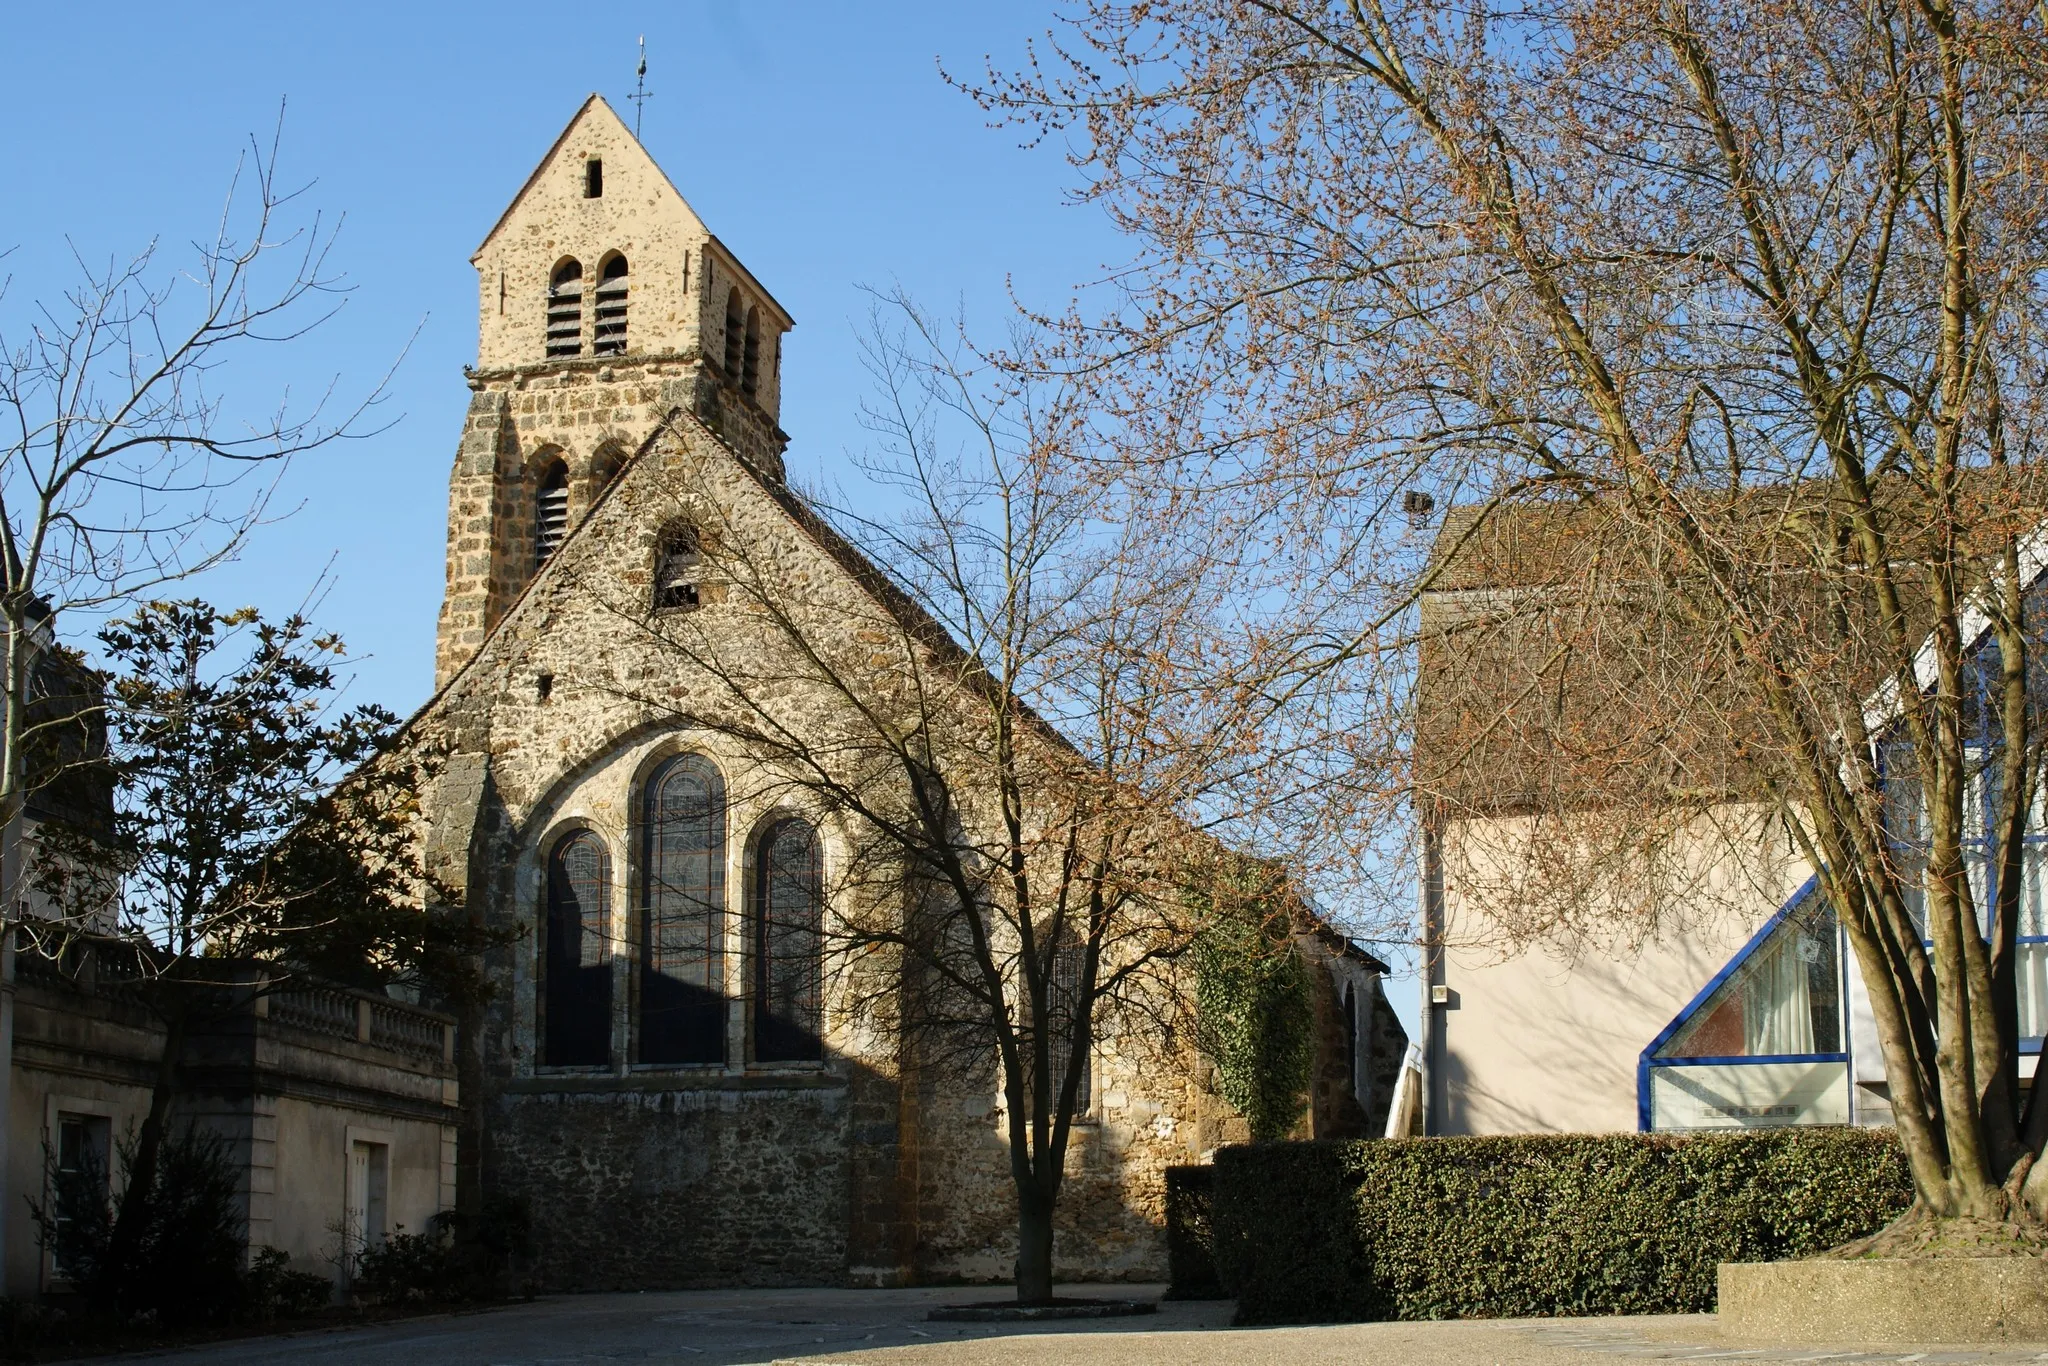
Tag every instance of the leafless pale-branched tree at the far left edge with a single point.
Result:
(126, 466)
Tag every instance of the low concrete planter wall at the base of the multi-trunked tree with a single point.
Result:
(1887, 1301)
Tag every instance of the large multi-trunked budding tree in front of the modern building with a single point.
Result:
(1752, 300)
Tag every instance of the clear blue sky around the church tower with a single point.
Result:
(818, 142)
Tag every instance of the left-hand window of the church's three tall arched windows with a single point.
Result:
(577, 972)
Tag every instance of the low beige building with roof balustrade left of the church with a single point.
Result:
(339, 1109)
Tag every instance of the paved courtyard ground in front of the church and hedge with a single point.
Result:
(888, 1328)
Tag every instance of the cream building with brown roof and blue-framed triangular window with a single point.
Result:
(1568, 986)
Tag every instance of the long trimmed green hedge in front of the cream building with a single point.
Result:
(1535, 1226)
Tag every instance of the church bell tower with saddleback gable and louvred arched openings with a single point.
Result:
(603, 308)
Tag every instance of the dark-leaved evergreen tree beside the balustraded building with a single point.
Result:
(239, 863)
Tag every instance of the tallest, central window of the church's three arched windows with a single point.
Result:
(683, 916)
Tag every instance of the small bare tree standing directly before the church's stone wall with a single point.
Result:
(1029, 724)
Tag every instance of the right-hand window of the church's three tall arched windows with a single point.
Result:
(790, 910)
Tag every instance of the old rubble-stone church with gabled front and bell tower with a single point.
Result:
(656, 1076)
